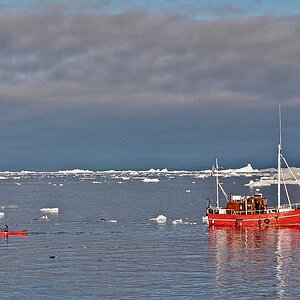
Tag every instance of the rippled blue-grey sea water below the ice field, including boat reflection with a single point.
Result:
(134, 258)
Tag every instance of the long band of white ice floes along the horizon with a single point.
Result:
(263, 177)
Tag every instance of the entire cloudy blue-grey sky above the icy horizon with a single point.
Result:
(142, 84)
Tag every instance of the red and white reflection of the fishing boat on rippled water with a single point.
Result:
(255, 263)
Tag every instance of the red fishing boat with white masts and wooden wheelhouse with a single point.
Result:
(254, 210)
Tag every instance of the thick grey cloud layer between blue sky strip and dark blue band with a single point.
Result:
(148, 61)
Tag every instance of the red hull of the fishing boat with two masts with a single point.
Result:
(287, 218)
